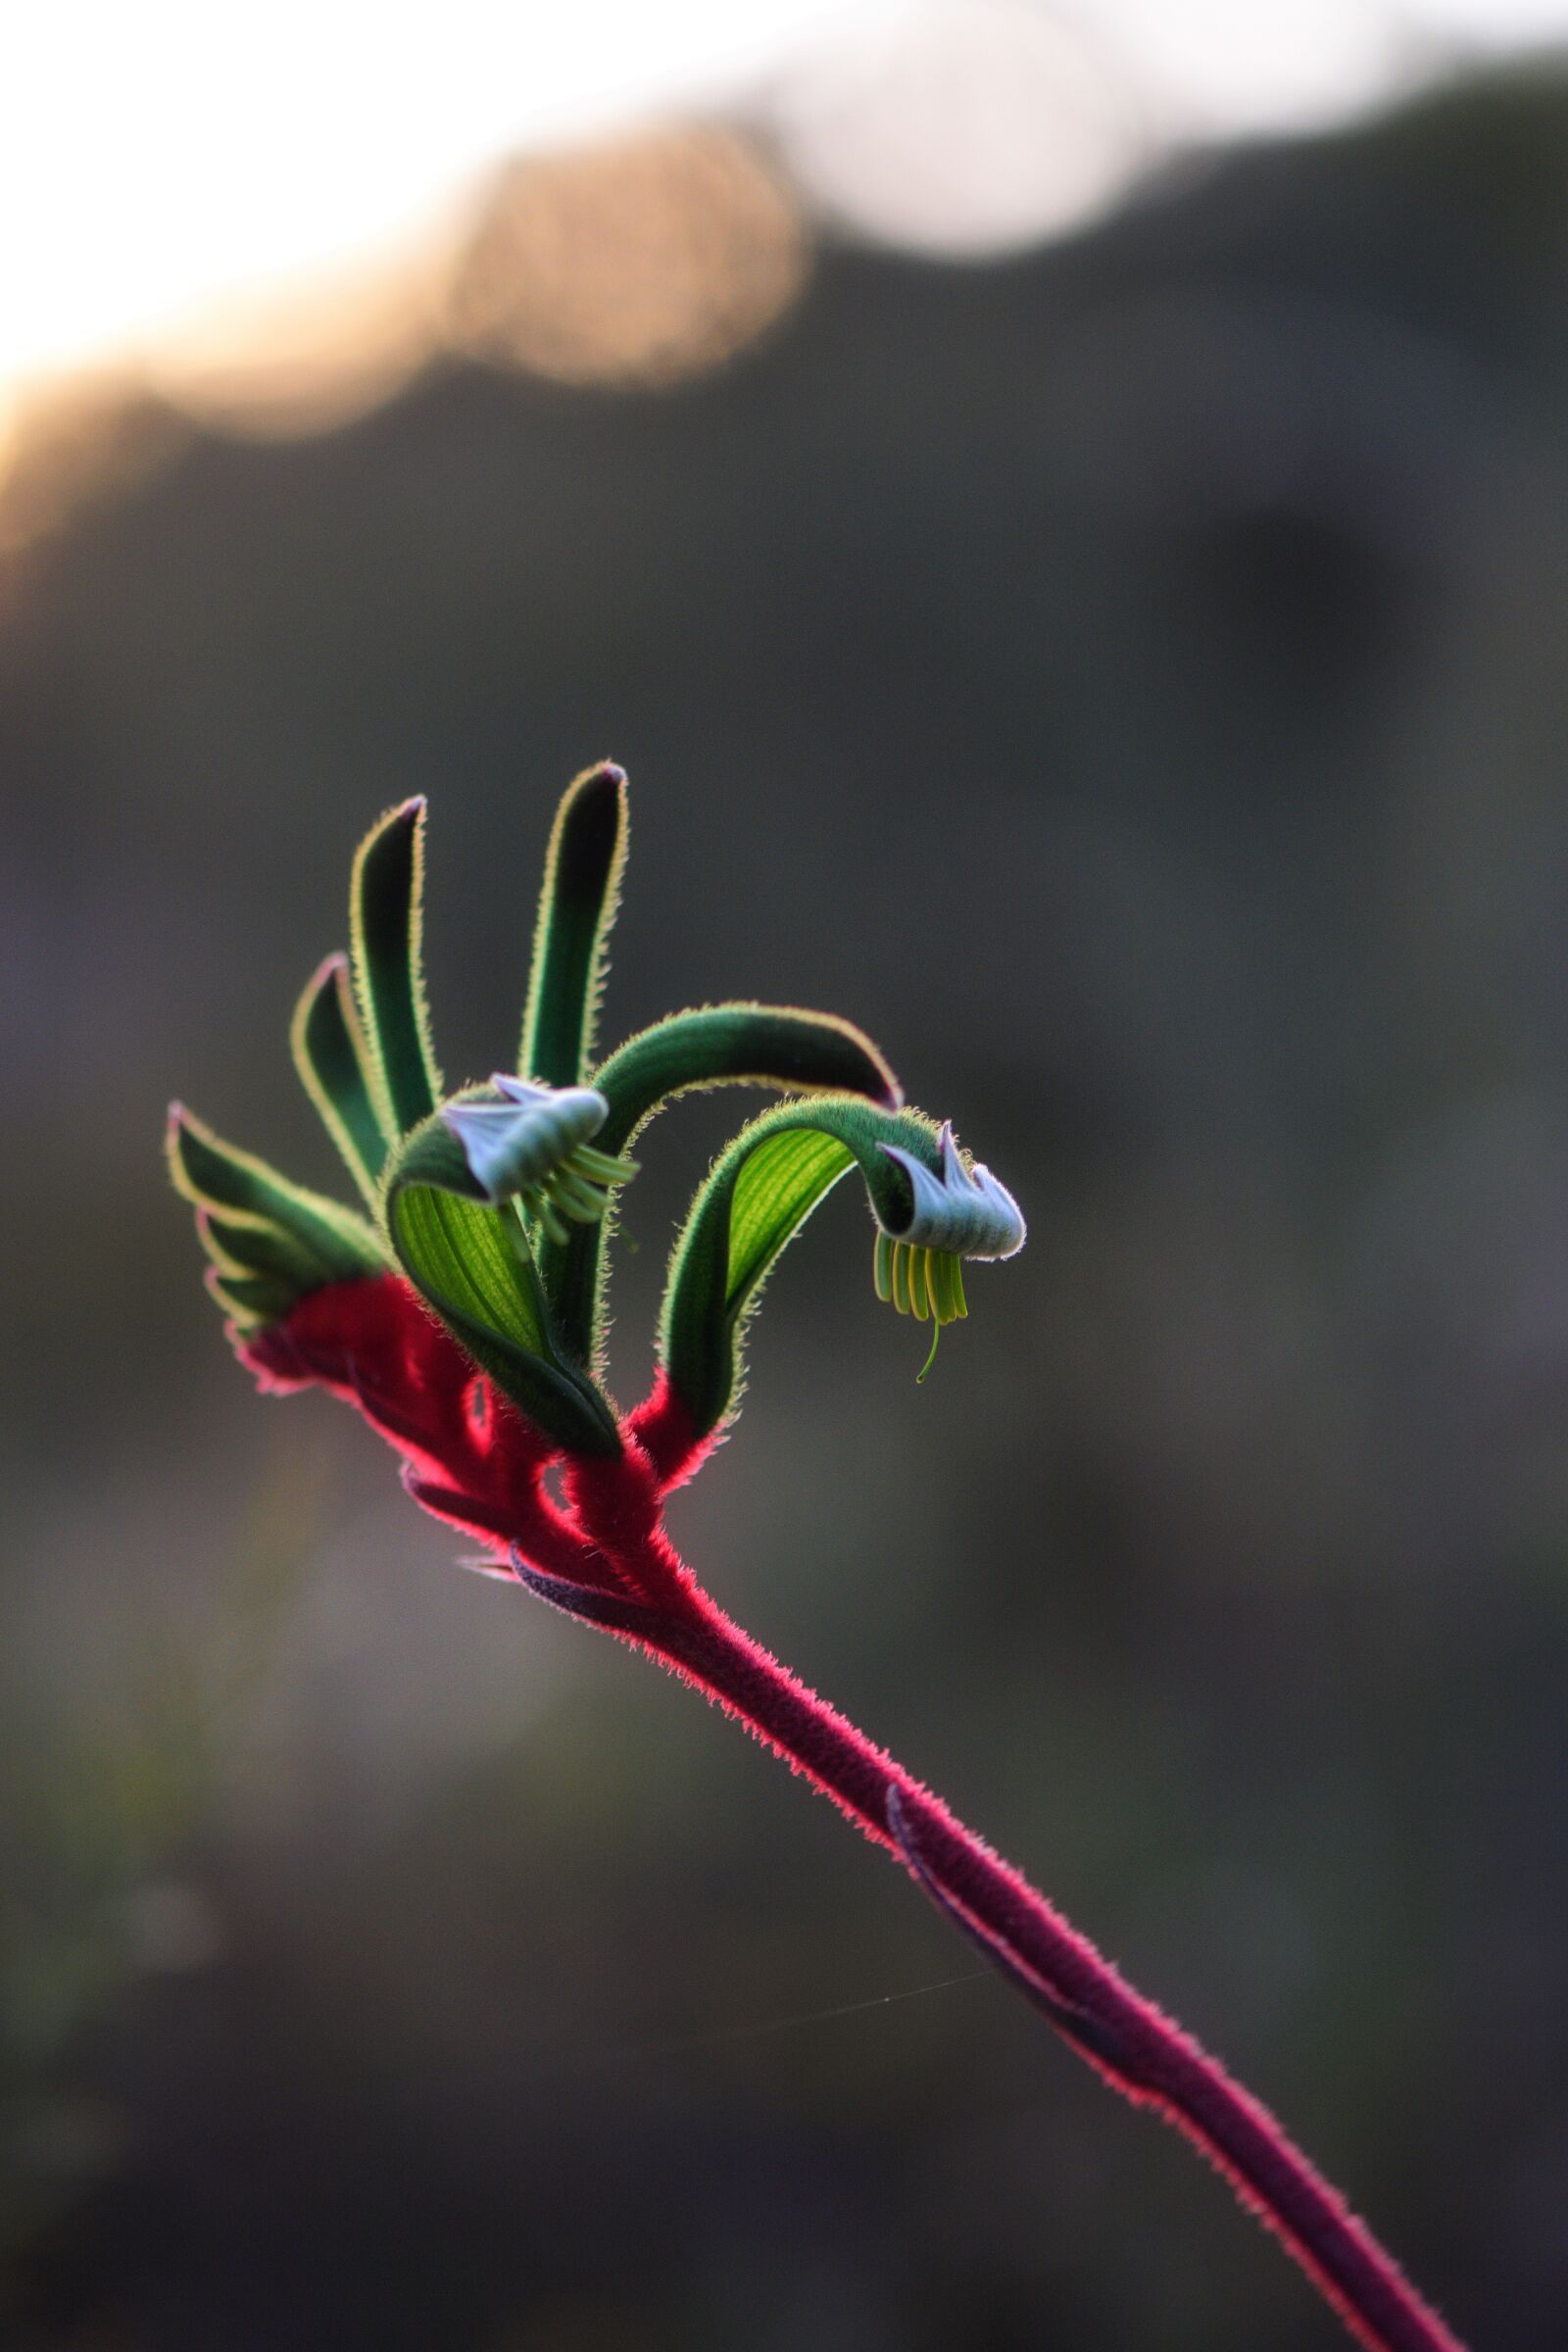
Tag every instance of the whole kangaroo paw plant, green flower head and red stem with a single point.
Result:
(464, 1316)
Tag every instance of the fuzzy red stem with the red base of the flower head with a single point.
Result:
(608, 1558)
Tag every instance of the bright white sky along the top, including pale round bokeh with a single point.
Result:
(161, 154)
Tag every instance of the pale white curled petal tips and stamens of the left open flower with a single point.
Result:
(535, 1147)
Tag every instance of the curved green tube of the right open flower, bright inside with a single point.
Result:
(753, 1203)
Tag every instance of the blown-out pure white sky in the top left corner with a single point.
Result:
(161, 152)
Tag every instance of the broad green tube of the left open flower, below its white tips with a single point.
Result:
(474, 1264)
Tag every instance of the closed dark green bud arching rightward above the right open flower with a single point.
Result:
(718, 1045)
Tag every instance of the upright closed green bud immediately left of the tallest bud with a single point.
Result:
(387, 921)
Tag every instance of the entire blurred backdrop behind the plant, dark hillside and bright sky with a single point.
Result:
(1064, 514)
